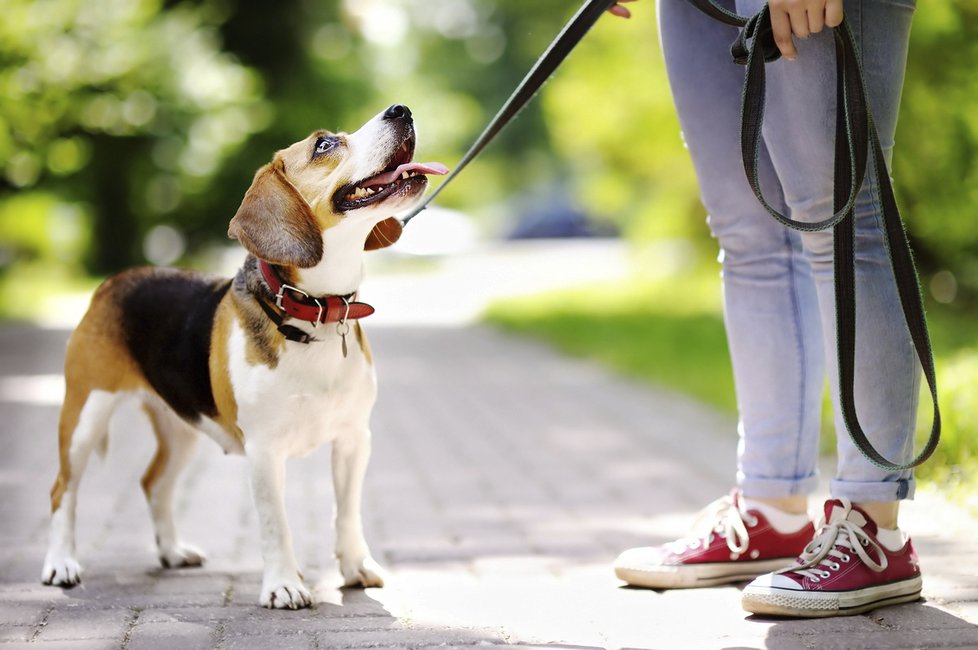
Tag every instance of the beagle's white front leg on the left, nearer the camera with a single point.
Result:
(281, 584)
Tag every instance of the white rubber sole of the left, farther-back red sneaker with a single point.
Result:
(688, 576)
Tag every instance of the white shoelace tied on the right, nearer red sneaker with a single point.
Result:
(837, 539)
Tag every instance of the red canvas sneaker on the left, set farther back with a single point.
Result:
(729, 544)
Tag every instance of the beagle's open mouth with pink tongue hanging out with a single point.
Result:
(400, 177)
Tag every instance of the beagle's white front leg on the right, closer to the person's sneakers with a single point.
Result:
(350, 456)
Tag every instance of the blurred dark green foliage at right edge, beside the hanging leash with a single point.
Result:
(935, 161)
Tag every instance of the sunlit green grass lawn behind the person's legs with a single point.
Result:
(670, 332)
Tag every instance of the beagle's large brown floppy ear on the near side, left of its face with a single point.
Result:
(275, 223)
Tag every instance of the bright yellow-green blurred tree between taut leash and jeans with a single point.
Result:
(611, 115)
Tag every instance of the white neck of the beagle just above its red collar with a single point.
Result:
(340, 270)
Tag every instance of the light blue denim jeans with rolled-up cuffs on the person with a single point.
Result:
(779, 305)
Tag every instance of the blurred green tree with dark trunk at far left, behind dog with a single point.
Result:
(121, 108)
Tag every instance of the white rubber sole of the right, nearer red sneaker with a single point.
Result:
(775, 601)
